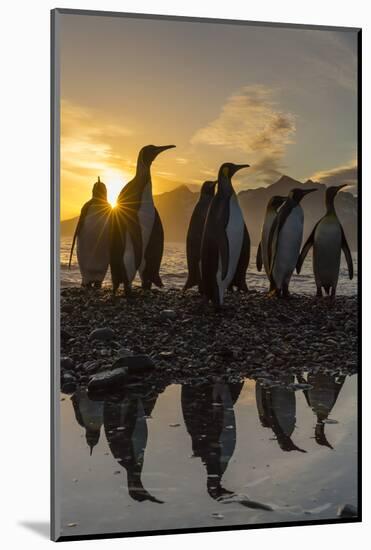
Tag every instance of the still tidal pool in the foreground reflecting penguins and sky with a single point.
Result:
(208, 455)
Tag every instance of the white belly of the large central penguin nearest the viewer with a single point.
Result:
(235, 232)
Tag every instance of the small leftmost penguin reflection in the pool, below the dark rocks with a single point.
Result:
(89, 414)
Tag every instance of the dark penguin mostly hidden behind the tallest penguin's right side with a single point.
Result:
(153, 254)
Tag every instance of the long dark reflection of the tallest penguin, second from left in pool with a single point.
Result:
(126, 431)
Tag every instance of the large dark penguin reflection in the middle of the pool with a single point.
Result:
(210, 421)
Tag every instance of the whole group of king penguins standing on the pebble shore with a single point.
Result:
(130, 237)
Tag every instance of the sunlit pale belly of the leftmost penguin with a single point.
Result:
(93, 246)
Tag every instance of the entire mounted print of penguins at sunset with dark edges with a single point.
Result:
(205, 206)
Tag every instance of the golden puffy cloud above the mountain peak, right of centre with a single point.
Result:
(252, 123)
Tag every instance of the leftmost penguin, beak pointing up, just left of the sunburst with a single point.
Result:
(93, 233)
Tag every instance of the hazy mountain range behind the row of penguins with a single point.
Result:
(175, 209)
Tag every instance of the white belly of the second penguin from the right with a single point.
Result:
(288, 247)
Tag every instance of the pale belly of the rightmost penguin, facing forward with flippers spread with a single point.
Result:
(327, 252)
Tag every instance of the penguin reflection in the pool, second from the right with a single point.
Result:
(277, 410)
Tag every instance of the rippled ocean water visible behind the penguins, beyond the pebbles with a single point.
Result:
(174, 271)
